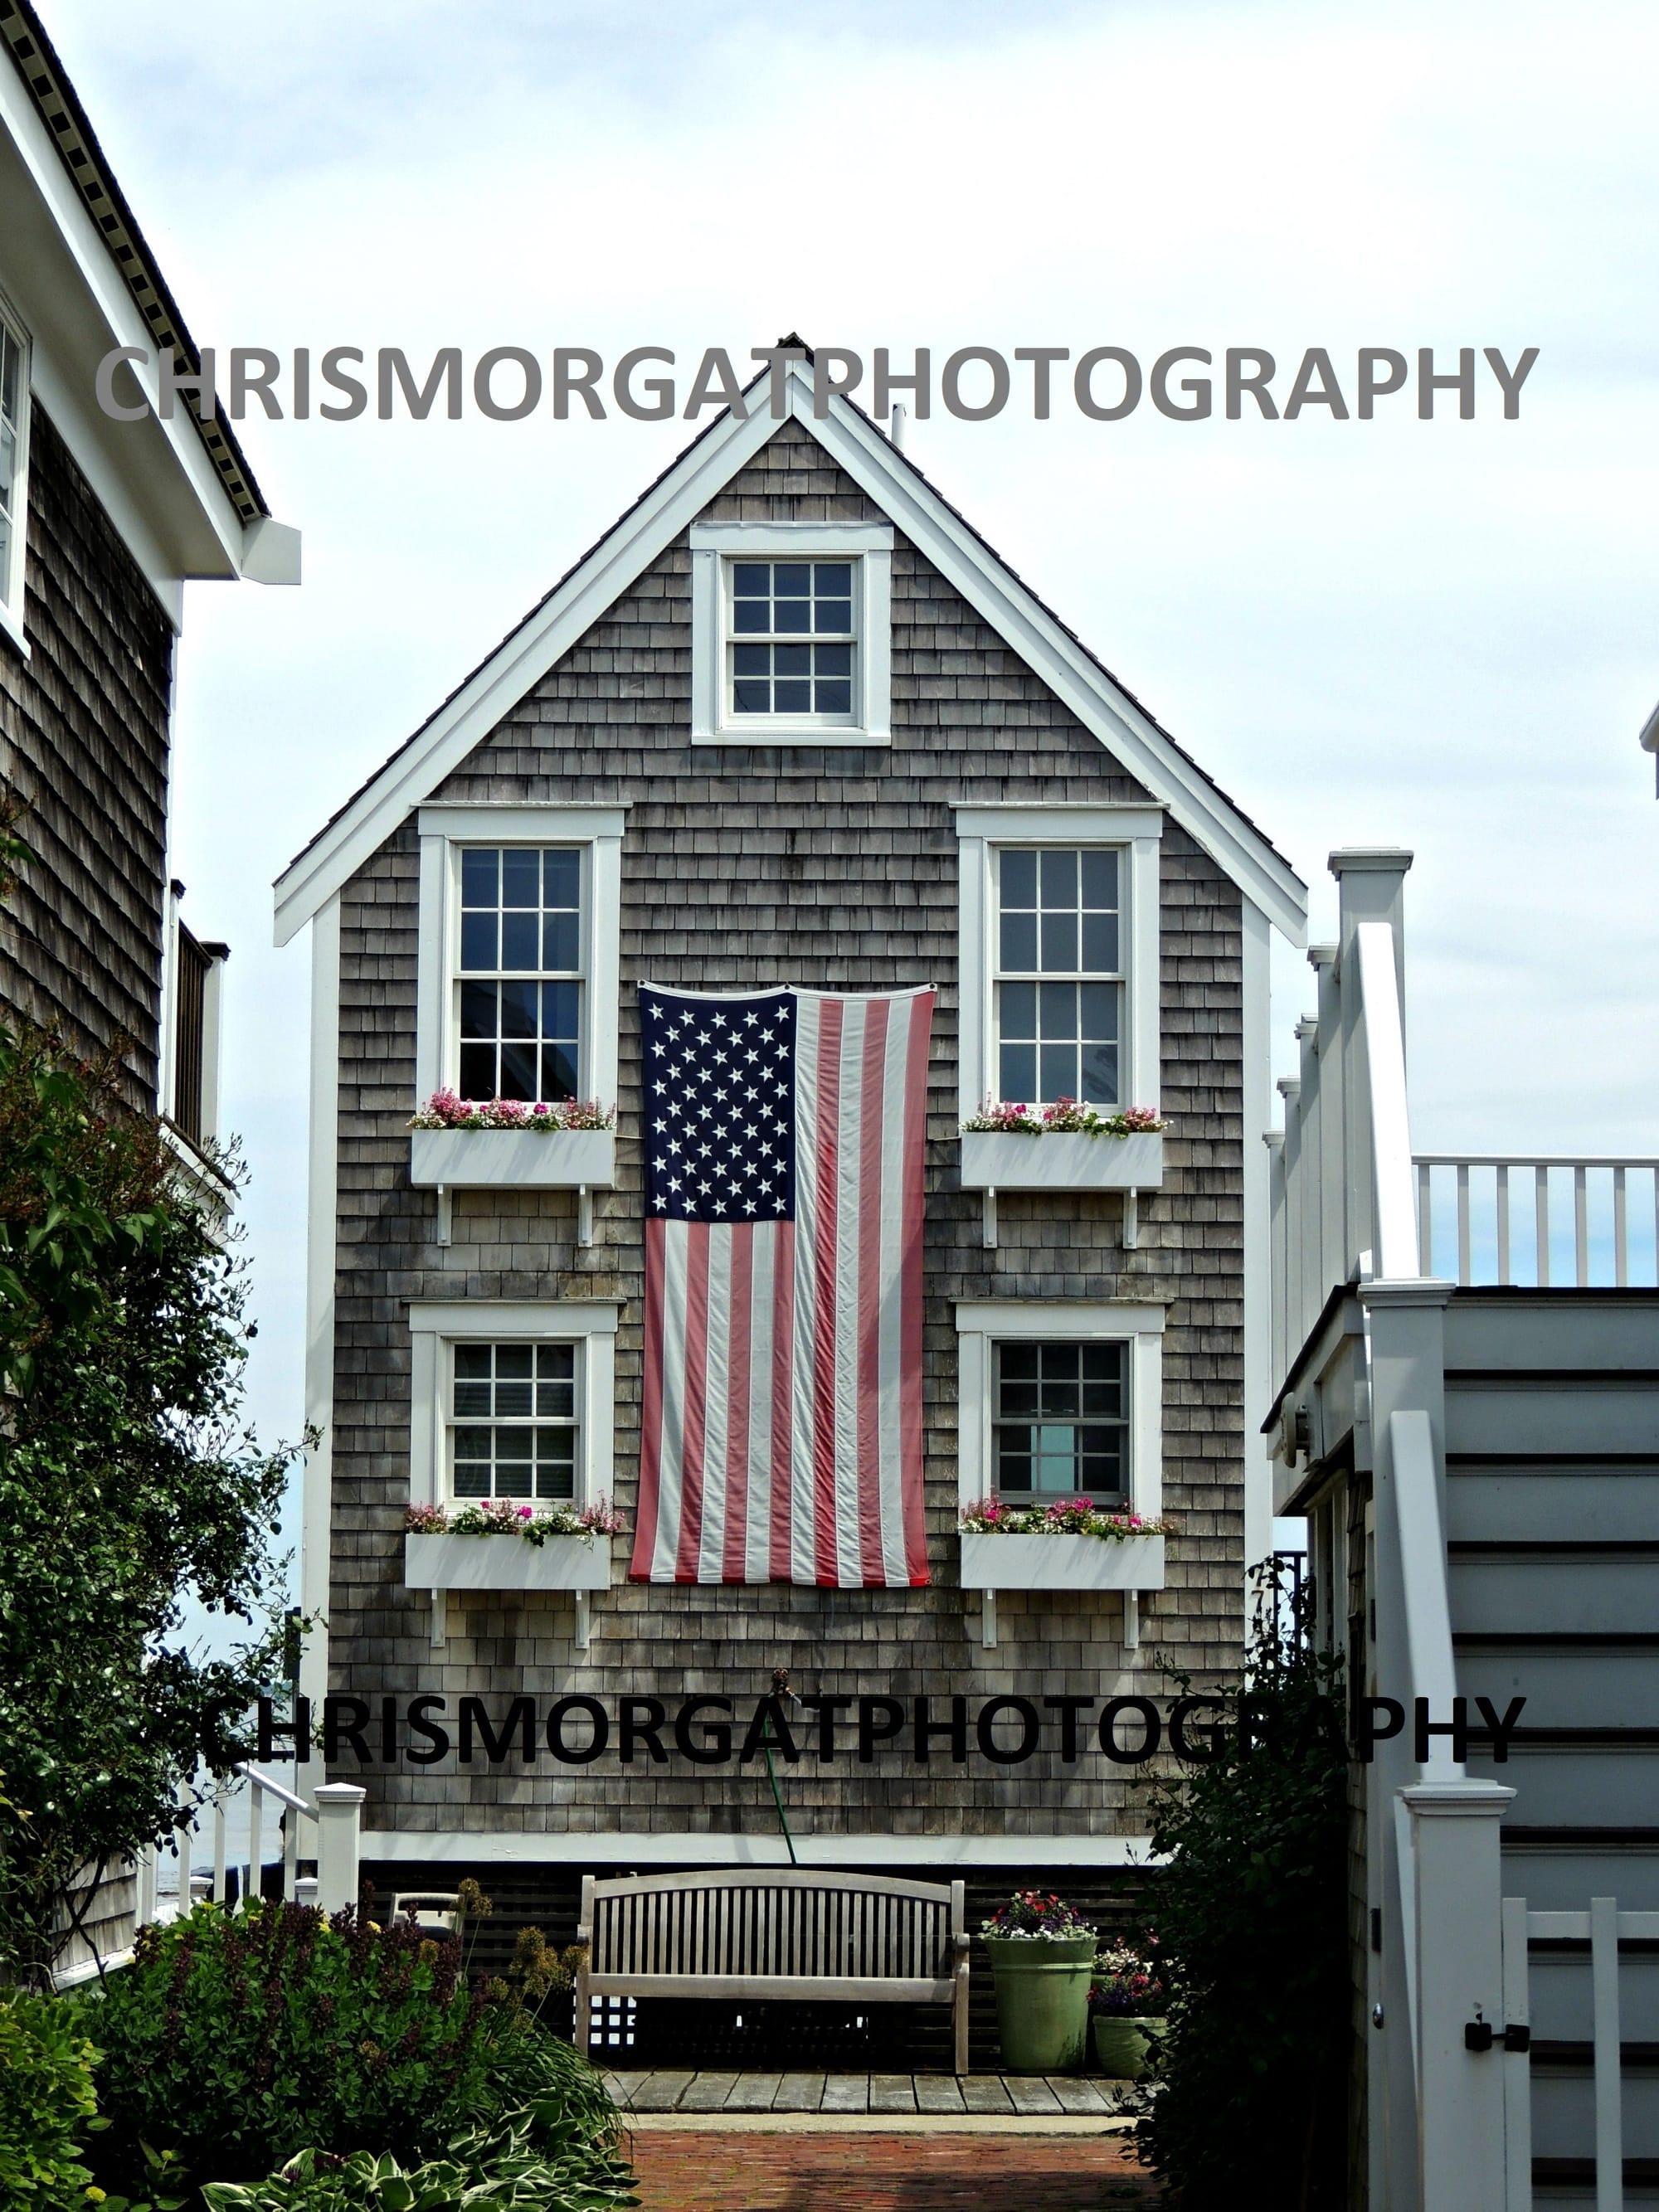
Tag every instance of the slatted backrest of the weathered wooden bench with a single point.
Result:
(766, 1930)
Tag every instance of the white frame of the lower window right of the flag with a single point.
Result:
(983, 1324)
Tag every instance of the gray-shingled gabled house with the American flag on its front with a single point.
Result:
(789, 729)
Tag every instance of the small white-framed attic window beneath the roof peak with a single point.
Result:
(791, 634)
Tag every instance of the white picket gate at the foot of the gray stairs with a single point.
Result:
(1605, 1928)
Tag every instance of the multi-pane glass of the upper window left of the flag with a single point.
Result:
(521, 972)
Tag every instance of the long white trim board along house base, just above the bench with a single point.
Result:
(620, 1848)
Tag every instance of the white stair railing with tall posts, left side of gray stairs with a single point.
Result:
(1346, 1213)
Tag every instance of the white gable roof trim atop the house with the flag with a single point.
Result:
(930, 523)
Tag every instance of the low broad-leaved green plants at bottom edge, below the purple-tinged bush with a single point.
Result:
(536, 2158)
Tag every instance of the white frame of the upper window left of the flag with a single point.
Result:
(444, 835)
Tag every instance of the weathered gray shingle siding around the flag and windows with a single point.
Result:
(749, 868)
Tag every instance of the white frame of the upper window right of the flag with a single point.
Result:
(1134, 831)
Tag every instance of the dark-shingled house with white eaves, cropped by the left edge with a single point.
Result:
(103, 523)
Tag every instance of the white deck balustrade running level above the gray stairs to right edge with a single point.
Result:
(1507, 1209)
